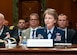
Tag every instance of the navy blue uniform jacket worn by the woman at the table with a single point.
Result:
(43, 32)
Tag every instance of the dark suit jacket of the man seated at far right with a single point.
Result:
(70, 35)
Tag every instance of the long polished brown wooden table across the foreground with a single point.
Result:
(72, 50)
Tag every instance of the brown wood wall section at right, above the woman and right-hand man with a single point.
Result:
(68, 7)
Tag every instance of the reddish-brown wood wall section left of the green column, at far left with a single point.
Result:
(6, 9)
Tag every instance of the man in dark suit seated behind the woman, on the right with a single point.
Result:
(62, 24)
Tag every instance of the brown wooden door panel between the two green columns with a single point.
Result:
(26, 7)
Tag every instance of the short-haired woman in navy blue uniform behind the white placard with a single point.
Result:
(50, 31)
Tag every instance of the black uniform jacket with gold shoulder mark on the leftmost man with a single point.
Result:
(13, 34)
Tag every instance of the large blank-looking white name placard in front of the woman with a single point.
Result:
(39, 42)
